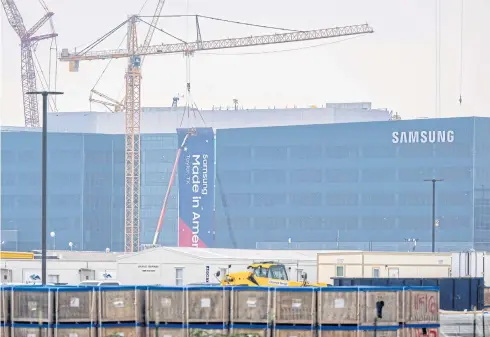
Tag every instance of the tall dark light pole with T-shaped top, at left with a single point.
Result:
(45, 95)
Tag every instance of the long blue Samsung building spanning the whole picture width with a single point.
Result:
(325, 186)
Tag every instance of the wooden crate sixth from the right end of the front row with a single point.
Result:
(207, 310)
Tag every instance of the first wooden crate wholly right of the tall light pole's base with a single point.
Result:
(75, 311)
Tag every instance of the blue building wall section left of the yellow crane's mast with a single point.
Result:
(84, 206)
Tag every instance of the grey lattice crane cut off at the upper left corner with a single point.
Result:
(28, 71)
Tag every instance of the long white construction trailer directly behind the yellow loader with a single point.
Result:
(182, 266)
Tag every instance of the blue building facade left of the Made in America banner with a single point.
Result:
(85, 203)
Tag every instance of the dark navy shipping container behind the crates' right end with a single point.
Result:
(456, 294)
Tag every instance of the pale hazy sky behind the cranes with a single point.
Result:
(393, 68)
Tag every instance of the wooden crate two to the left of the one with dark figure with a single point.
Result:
(295, 311)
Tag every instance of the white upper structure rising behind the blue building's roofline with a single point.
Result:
(166, 120)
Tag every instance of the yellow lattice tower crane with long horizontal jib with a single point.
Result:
(133, 89)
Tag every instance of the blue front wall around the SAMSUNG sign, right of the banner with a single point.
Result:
(319, 182)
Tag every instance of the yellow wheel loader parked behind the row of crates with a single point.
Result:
(265, 274)
